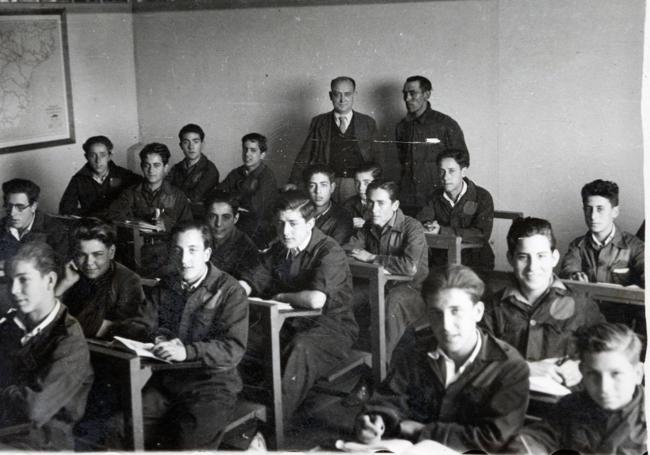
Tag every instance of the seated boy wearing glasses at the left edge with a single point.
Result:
(24, 222)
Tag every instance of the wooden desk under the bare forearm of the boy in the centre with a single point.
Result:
(272, 319)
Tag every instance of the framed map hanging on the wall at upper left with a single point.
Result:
(35, 95)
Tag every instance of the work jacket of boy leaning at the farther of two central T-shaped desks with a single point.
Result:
(400, 248)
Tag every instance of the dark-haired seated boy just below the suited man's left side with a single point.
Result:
(331, 218)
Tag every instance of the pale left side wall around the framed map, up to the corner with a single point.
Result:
(102, 70)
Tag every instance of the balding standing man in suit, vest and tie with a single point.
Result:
(341, 138)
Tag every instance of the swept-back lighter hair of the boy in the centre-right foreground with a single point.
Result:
(453, 277)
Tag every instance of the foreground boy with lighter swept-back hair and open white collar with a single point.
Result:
(460, 387)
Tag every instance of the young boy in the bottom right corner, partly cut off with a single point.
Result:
(607, 417)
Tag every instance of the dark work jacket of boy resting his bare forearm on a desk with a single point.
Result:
(321, 266)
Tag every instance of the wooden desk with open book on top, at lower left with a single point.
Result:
(131, 373)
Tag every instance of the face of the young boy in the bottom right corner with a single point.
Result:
(610, 378)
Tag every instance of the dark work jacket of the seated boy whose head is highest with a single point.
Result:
(195, 181)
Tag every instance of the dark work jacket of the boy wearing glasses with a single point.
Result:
(44, 229)
